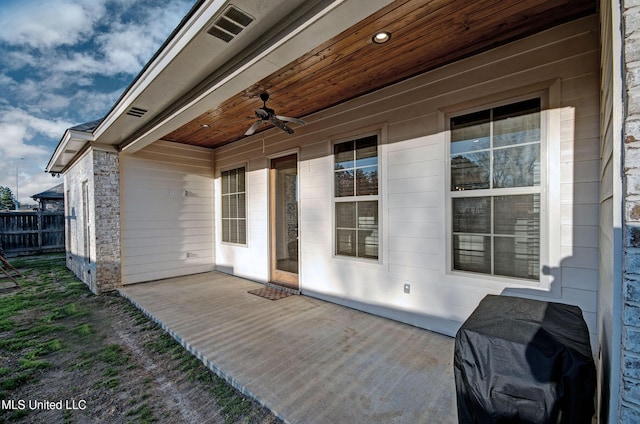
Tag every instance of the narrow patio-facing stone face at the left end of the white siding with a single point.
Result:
(107, 220)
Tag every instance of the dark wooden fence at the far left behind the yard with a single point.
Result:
(24, 233)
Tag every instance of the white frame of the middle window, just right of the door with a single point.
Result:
(378, 133)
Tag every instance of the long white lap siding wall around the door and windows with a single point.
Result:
(413, 243)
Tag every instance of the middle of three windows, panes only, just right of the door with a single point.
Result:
(356, 197)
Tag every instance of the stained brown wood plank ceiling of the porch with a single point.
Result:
(425, 34)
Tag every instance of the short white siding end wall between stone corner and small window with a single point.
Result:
(167, 212)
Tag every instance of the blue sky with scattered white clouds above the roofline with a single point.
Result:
(64, 63)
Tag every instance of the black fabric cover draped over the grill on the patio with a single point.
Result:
(524, 361)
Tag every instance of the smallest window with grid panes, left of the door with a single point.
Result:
(234, 210)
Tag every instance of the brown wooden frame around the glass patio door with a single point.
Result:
(278, 277)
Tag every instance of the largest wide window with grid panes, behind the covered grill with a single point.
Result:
(495, 192)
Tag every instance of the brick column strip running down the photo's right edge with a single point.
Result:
(630, 389)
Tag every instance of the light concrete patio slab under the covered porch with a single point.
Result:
(307, 360)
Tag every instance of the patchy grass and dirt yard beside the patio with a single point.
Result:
(105, 362)
